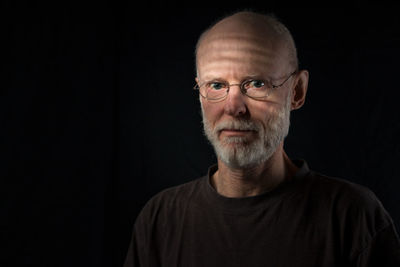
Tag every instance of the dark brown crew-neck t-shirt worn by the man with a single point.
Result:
(309, 220)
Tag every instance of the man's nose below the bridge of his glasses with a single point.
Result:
(235, 102)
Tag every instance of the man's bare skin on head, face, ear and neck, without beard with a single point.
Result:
(234, 49)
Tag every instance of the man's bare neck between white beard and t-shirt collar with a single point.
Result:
(255, 180)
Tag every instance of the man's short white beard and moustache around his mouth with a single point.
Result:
(241, 152)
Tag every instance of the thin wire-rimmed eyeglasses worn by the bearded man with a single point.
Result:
(215, 91)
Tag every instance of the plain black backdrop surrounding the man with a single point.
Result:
(97, 114)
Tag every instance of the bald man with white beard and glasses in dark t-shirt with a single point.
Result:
(257, 207)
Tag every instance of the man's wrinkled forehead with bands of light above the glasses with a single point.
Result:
(239, 53)
